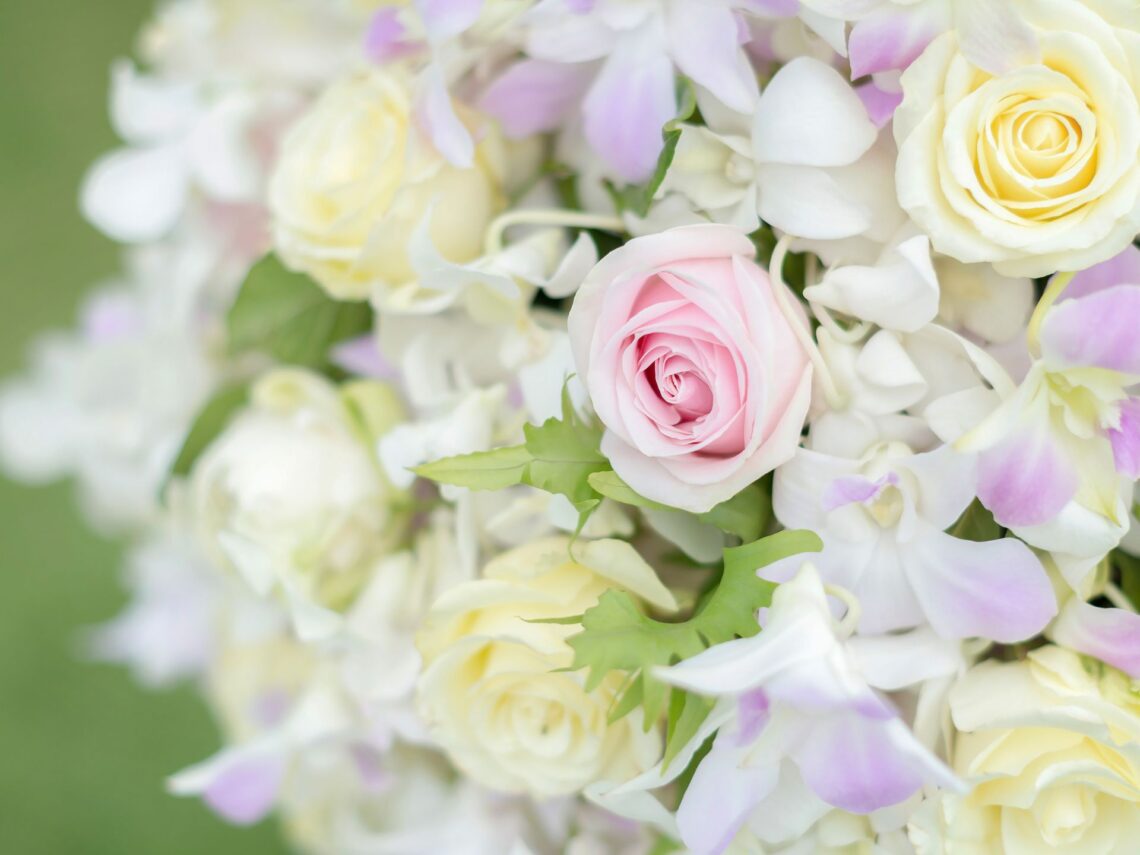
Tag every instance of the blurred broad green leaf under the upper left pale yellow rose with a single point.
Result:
(290, 317)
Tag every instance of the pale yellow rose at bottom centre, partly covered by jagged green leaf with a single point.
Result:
(492, 693)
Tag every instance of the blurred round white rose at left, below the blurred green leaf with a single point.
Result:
(291, 498)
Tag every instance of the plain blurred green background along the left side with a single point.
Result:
(84, 752)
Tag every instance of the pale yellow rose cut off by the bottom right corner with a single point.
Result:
(1053, 748)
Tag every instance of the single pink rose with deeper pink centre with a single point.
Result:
(693, 368)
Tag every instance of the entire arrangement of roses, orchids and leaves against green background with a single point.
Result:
(625, 426)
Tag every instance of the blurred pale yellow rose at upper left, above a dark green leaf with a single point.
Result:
(356, 178)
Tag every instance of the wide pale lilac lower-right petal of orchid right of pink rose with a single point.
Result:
(995, 590)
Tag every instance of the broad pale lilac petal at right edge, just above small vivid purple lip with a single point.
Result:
(1098, 330)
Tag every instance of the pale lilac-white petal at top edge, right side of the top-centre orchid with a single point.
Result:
(704, 40)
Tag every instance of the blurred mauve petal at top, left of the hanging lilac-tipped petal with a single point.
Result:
(535, 96)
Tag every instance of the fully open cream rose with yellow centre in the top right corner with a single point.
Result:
(1037, 169)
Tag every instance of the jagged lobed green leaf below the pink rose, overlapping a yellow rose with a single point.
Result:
(617, 637)
